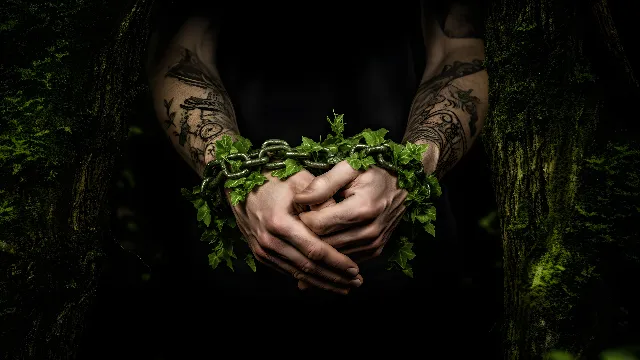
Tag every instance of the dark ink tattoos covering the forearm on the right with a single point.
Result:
(436, 110)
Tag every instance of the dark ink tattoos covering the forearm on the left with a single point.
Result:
(203, 120)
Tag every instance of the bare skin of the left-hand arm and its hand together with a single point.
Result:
(195, 110)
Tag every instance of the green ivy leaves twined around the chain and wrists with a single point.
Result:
(220, 228)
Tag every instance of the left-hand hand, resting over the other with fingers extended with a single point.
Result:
(278, 238)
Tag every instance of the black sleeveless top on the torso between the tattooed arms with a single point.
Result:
(288, 67)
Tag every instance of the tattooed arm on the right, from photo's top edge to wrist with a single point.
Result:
(449, 108)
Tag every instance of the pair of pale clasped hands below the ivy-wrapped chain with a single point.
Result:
(296, 227)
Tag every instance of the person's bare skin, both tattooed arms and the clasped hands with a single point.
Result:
(447, 113)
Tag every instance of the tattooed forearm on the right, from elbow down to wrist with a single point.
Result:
(448, 110)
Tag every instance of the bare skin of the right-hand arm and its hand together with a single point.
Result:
(447, 113)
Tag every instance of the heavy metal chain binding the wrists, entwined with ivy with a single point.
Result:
(272, 156)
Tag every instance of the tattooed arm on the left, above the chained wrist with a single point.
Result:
(188, 96)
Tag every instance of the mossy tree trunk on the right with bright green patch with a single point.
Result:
(565, 174)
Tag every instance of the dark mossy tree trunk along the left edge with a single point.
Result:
(69, 70)
